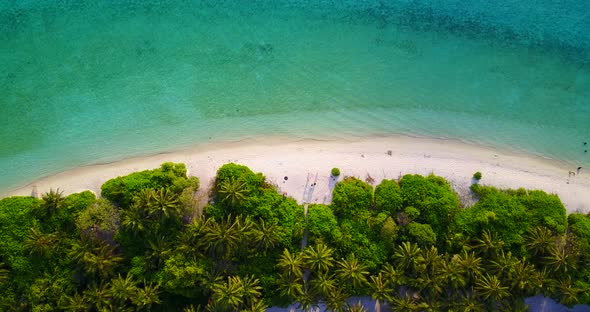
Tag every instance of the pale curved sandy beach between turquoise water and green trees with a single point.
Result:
(306, 162)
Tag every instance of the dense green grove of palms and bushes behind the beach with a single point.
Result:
(147, 243)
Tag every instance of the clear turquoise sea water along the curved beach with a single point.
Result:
(83, 82)
